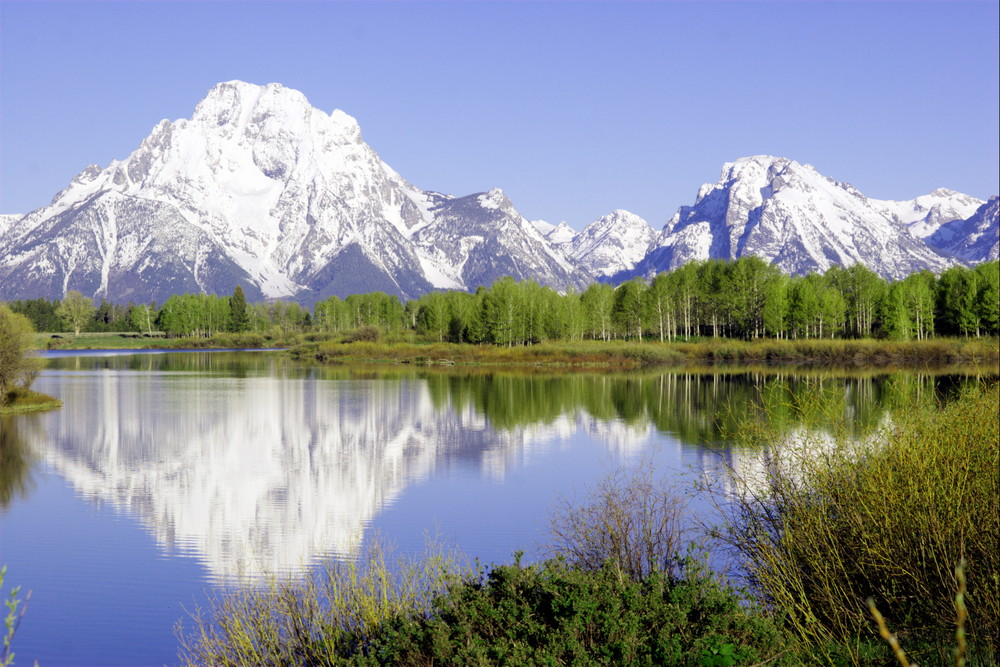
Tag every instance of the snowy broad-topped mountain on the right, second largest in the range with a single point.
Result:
(790, 215)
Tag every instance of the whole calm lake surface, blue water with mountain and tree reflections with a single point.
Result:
(165, 475)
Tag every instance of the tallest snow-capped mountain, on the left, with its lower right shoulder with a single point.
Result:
(259, 188)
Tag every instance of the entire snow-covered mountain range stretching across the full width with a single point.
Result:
(261, 189)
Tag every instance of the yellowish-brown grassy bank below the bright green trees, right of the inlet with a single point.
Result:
(624, 354)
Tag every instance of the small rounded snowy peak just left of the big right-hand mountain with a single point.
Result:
(612, 244)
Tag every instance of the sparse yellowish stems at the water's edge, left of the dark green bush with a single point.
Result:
(329, 617)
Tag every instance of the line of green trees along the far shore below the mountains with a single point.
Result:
(746, 298)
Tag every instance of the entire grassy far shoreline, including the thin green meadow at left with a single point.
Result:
(578, 354)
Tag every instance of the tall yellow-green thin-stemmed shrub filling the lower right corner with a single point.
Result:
(888, 519)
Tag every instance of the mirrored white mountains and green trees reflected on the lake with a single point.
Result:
(254, 464)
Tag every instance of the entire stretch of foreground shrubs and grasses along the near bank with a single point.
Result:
(890, 518)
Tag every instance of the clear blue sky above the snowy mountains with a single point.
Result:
(573, 109)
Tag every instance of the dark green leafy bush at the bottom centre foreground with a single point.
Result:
(552, 613)
